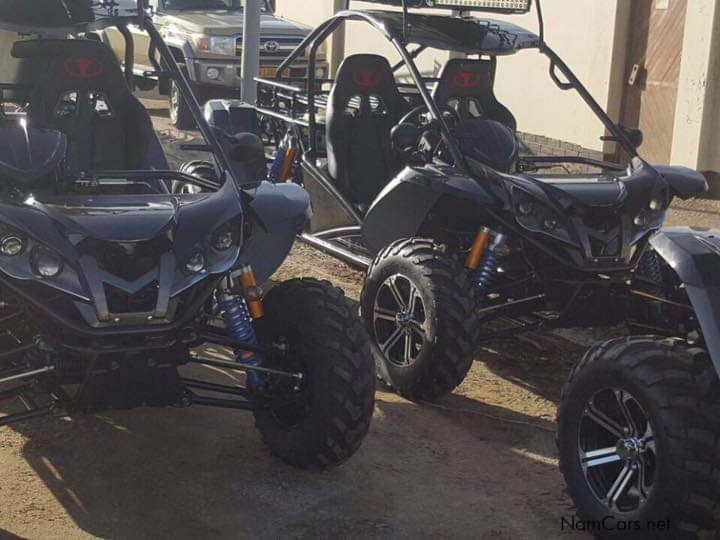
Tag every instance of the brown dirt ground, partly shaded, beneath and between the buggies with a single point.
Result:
(480, 463)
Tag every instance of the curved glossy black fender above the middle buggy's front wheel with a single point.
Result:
(403, 206)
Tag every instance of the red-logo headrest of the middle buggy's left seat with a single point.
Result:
(365, 75)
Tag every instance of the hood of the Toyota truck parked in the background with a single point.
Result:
(230, 22)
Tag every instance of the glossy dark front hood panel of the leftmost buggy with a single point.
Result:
(113, 237)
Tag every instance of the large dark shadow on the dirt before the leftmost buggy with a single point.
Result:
(423, 471)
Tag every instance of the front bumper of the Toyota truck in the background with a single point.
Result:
(228, 72)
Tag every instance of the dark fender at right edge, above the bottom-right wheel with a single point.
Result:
(694, 254)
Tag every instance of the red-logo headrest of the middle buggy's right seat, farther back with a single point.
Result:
(465, 78)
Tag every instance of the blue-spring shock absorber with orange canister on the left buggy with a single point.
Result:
(239, 311)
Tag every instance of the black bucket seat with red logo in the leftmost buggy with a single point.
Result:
(80, 90)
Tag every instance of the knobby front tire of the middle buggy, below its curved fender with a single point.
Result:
(441, 353)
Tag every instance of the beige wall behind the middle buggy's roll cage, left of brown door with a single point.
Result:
(581, 31)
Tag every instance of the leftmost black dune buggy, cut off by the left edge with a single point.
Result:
(110, 282)
